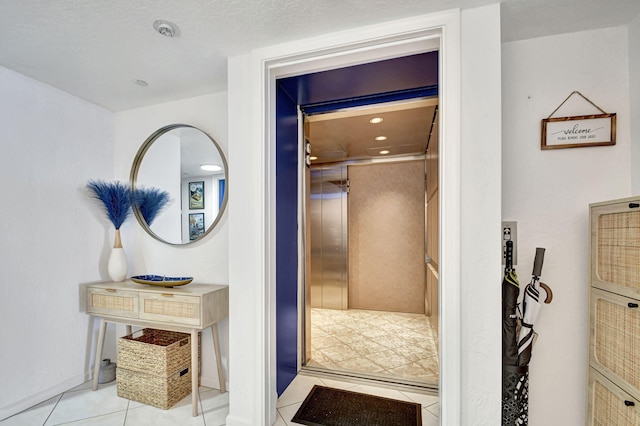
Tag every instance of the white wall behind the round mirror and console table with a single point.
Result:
(206, 260)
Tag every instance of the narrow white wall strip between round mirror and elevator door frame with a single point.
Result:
(246, 343)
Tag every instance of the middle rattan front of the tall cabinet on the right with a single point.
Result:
(615, 339)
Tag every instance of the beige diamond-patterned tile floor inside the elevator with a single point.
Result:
(380, 343)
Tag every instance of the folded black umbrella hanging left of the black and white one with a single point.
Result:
(510, 291)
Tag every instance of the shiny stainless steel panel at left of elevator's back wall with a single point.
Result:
(328, 211)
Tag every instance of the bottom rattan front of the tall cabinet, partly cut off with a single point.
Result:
(609, 405)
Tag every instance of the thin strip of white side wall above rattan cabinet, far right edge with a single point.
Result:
(634, 93)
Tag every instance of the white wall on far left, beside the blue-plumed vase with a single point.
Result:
(54, 237)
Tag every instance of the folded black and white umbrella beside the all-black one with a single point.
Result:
(535, 294)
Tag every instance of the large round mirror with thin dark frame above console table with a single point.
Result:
(179, 182)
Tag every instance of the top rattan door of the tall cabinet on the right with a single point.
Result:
(615, 246)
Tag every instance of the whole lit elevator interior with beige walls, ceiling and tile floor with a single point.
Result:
(372, 228)
